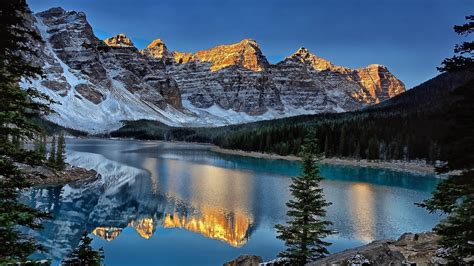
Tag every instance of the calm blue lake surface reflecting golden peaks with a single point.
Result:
(159, 203)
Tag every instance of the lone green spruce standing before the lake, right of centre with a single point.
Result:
(304, 231)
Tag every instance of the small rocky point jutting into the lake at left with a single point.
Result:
(43, 176)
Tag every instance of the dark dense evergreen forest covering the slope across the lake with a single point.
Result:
(414, 125)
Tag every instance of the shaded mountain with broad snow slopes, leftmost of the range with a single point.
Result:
(97, 84)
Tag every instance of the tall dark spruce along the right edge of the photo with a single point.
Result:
(455, 195)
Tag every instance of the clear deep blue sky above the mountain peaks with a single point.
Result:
(410, 37)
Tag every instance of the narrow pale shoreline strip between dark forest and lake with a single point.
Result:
(417, 167)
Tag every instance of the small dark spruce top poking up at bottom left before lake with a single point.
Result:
(84, 254)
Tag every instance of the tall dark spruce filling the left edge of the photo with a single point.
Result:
(18, 106)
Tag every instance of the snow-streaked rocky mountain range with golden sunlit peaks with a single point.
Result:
(98, 84)
